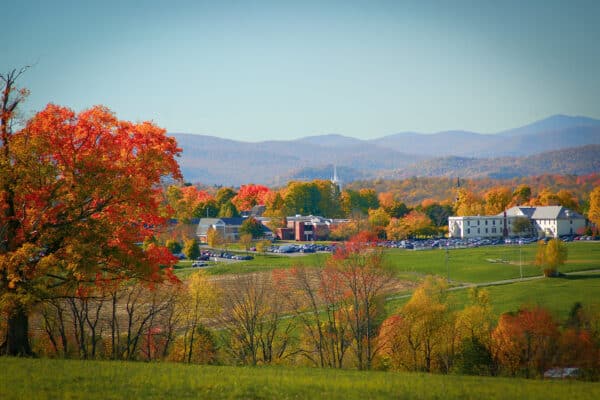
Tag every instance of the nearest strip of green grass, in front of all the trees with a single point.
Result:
(71, 379)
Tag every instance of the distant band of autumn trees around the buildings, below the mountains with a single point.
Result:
(384, 213)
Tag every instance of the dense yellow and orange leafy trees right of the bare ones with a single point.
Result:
(425, 335)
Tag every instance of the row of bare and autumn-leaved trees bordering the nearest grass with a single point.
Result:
(328, 317)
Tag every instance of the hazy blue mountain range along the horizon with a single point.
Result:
(558, 144)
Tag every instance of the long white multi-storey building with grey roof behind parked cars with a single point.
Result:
(552, 221)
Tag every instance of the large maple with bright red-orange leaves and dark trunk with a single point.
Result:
(77, 191)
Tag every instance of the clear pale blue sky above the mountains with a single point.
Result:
(252, 70)
